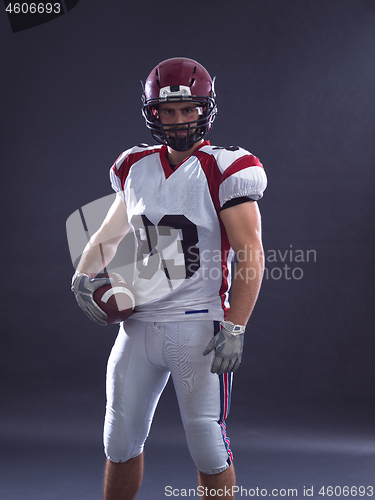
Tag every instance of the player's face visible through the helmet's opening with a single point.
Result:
(173, 113)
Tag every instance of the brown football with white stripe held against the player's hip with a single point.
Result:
(116, 300)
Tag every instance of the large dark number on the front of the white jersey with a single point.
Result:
(150, 255)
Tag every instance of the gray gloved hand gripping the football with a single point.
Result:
(84, 287)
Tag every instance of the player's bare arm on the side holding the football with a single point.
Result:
(102, 246)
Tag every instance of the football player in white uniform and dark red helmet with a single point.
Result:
(191, 207)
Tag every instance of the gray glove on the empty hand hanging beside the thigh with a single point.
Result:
(228, 345)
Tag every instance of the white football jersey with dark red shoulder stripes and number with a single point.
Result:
(183, 262)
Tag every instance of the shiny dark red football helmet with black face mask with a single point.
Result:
(173, 80)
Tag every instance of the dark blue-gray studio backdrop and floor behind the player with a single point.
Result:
(296, 86)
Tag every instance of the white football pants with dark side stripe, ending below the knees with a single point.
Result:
(142, 359)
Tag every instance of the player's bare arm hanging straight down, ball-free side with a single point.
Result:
(243, 226)
